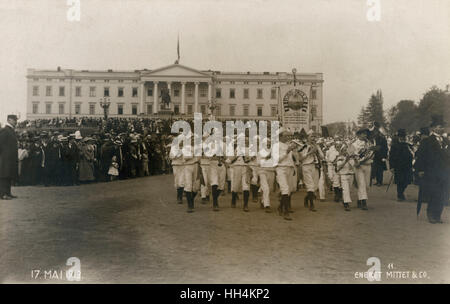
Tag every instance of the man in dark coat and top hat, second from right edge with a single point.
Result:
(400, 161)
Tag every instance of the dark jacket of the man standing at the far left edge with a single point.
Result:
(9, 162)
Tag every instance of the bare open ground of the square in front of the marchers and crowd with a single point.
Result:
(133, 231)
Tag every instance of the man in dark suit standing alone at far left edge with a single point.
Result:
(8, 157)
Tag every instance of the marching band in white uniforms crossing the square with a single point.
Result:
(340, 165)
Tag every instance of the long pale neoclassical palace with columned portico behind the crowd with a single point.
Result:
(227, 95)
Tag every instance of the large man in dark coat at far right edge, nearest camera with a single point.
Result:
(432, 165)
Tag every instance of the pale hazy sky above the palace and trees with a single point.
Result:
(404, 53)
